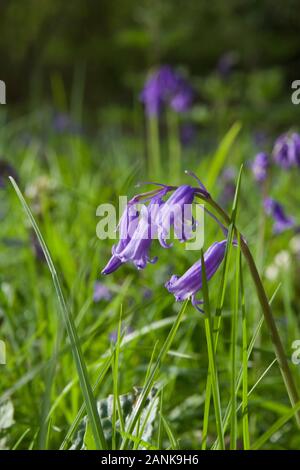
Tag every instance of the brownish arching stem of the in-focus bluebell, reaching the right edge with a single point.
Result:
(267, 311)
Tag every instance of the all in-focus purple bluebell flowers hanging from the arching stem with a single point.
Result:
(138, 227)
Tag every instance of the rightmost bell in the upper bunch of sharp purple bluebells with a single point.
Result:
(177, 212)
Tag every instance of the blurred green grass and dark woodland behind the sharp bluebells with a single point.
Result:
(74, 134)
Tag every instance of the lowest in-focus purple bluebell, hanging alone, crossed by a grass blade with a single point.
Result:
(190, 283)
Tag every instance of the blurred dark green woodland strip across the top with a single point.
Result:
(114, 42)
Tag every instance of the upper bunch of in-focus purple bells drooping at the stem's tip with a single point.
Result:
(139, 226)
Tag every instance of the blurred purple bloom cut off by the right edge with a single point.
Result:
(286, 151)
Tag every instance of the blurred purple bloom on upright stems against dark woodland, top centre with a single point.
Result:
(165, 86)
